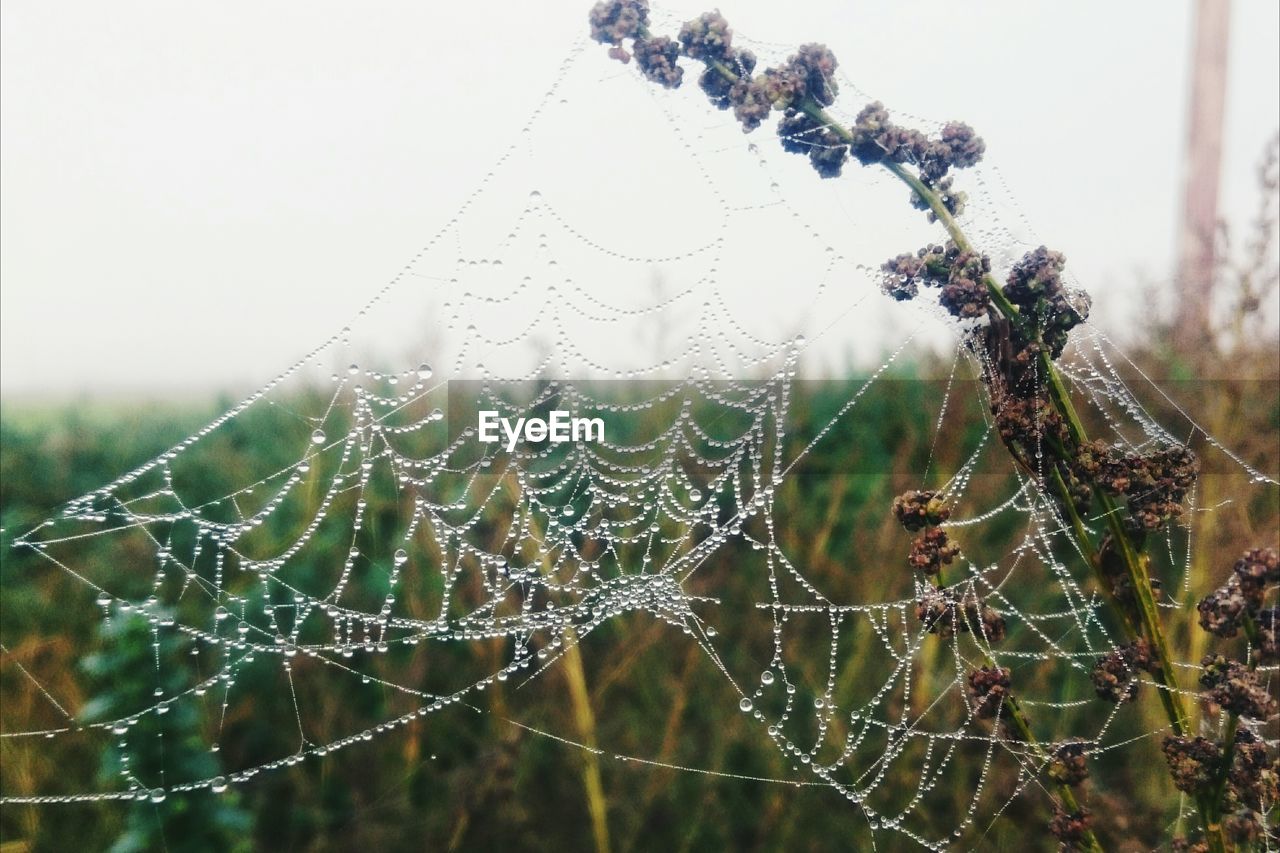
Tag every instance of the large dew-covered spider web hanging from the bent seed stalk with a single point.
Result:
(633, 258)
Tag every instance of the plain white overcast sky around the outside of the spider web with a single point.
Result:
(196, 195)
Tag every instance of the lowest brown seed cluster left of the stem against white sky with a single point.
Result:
(958, 273)
